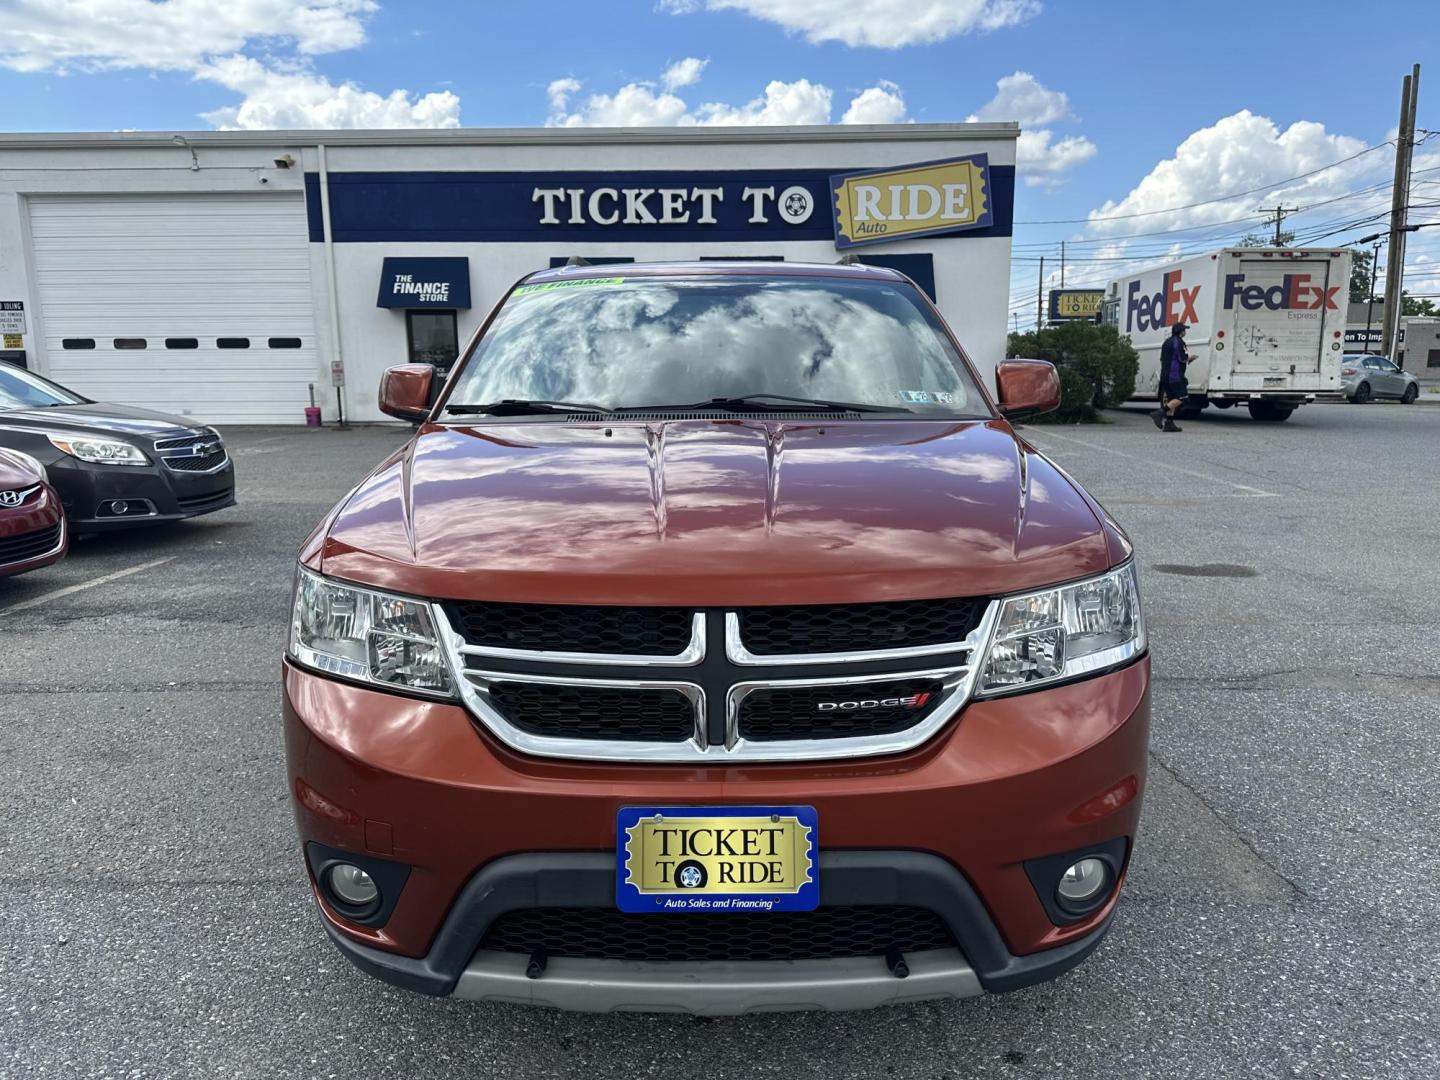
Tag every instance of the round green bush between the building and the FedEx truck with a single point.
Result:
(1097, 368)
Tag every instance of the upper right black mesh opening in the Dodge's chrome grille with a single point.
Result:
(858, 627)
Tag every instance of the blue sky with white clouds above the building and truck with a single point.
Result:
(1252, 94)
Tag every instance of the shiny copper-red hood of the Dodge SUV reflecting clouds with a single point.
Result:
(716, 513)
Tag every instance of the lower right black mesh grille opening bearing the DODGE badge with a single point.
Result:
(830, 712)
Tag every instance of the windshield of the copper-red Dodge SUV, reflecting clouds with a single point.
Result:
(639, 343)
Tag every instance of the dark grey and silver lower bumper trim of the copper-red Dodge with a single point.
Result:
(457, 964)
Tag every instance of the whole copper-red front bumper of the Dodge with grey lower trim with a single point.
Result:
(947, 827)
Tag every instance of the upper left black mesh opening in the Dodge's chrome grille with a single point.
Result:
(574, 629)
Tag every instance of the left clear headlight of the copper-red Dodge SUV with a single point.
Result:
(368, 636)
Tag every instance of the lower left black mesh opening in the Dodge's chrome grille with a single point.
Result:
(587, 712)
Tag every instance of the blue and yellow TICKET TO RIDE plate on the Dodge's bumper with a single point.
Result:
(718, 859)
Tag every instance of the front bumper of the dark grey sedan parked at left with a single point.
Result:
(172, 496)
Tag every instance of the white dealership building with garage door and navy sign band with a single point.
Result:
(234, 276)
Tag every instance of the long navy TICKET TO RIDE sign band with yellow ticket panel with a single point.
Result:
(964, 197)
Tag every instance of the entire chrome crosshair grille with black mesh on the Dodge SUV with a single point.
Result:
(758, 685)
